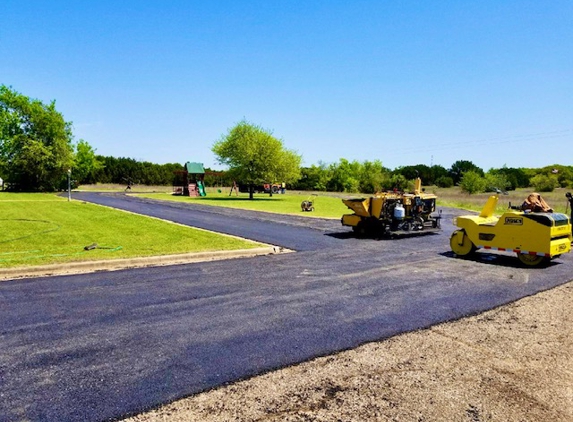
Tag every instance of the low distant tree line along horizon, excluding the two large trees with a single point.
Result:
(348, 176)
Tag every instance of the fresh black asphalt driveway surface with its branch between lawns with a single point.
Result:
(106, 345)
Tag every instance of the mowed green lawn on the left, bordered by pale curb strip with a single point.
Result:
(38, 229)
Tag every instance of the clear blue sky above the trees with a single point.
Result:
(405, 82)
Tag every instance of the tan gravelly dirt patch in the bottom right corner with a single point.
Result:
(514, 363)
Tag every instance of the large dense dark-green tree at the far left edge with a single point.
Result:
(35, 142)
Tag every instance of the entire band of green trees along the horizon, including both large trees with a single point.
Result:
(37, 153)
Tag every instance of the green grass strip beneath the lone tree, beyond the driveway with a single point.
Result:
(289, 203)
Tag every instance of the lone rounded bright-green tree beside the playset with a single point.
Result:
(255, 156)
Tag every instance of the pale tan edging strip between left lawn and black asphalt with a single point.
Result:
(86, 267)
